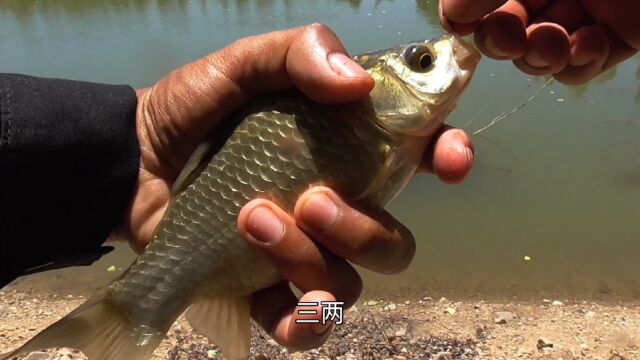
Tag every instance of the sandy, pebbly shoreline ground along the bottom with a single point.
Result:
(412, 328)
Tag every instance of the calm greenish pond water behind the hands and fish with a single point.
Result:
(558, 182)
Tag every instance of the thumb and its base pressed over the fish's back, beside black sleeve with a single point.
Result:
(193, 99)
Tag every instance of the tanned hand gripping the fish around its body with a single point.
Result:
(176, 114)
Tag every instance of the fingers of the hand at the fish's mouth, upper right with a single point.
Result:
(575, 40)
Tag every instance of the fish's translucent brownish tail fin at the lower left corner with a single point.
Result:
(99, 329)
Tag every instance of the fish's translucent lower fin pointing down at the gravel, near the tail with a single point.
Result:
(225, 321)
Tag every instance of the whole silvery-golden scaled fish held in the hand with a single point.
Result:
(275, 148)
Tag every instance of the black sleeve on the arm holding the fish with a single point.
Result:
(69, 159)
